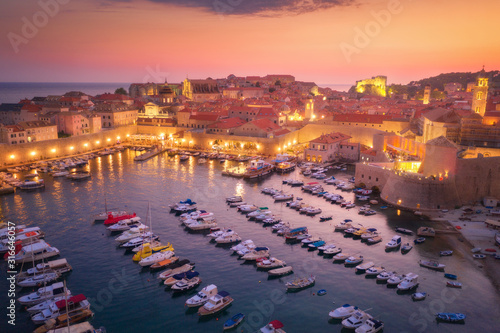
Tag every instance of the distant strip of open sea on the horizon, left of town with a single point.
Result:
(13, 92)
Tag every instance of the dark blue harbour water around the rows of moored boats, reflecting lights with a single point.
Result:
(126, 298)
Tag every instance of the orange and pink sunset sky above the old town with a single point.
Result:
(326, 41)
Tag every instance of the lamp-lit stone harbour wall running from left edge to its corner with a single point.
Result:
(33, 151)
